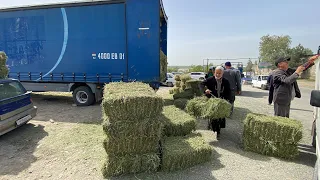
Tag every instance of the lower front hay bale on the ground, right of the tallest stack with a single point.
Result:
(184, 152)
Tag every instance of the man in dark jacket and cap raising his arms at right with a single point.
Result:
(285, 86)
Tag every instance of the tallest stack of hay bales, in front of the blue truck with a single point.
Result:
(133, 127)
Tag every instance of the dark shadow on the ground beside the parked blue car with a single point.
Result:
(17, 148)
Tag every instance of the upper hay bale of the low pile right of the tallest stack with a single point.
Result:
(177, 122)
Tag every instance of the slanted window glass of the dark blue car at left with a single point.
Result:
(10, 89)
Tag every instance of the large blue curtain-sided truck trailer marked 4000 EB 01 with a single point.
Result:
(80, 46)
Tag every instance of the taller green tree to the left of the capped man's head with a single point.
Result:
(272, 47)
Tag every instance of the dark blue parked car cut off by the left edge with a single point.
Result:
(16, 107)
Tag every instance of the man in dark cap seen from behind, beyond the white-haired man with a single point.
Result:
(234, 79)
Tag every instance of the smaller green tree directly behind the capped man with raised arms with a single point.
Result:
(298, 55)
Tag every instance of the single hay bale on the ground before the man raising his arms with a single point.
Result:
(273, 136)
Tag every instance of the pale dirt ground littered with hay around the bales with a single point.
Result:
(65, 142)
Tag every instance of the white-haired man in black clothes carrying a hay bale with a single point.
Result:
(218, 87)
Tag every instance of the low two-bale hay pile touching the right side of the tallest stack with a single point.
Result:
(181, 146)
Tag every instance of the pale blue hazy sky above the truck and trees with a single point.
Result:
(217, 29)
